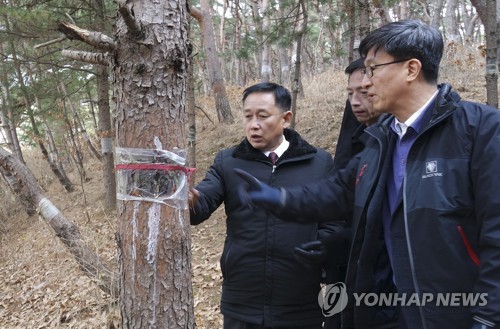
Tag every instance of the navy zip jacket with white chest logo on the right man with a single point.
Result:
(446, 229)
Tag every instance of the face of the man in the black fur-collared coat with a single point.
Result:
(264, 122)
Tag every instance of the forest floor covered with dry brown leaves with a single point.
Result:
(41, 285)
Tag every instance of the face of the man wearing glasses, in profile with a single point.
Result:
(387, 88)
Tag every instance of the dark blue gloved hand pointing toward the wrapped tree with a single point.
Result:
(255, 193)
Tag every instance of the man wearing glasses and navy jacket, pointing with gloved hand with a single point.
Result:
(423, 195)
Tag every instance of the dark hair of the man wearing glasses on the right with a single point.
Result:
(408, 39)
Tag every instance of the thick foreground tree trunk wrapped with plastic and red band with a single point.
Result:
(154, 243)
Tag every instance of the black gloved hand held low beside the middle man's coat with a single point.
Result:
(334, 248)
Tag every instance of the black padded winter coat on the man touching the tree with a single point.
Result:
(263, 282)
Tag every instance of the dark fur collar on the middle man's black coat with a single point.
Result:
(298, 147)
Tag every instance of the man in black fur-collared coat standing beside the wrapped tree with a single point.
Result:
(264, 284)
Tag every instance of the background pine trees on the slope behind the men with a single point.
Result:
(250, 40)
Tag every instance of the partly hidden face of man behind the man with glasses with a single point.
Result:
(361, 106)
